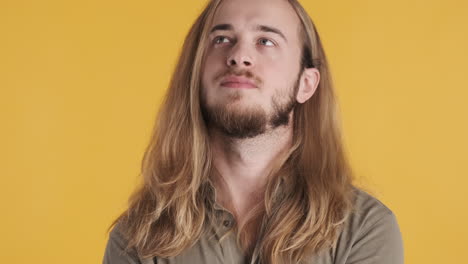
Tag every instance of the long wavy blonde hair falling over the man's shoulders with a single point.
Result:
(170, 210)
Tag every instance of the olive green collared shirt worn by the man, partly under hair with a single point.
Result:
(370, 235)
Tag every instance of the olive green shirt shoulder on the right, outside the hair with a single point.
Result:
(370, 235)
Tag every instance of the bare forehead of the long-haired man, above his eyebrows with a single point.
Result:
(240, 13)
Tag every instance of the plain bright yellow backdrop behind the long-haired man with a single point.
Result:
(80, 83)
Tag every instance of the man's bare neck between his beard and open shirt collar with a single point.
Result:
(244, 165)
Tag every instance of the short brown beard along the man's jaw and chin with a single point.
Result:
(250, 121)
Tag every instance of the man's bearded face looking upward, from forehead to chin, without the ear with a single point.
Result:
(251, 67)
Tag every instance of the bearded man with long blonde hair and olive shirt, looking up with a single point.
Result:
(246, 163)
